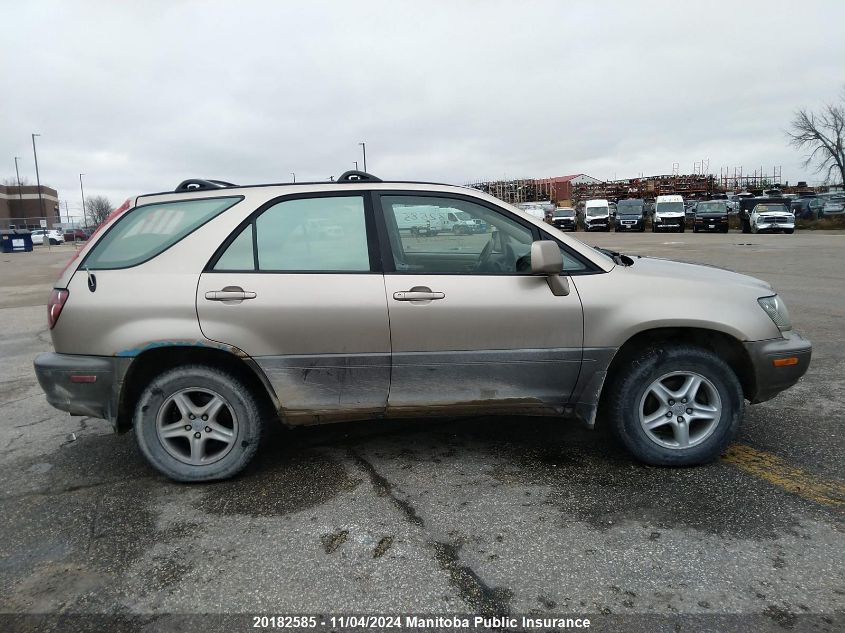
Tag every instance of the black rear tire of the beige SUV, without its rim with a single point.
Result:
(247, 426)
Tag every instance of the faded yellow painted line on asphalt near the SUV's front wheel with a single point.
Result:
(778, 472)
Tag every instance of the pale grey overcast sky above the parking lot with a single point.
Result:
(139, 98)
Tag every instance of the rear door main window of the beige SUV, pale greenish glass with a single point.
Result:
(313, 234)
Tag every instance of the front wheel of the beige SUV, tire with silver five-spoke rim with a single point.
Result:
(676, 406)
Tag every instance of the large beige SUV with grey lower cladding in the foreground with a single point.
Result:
(200, 316)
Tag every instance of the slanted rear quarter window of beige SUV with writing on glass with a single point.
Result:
(149, 230)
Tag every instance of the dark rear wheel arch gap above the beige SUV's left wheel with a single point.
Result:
(153, 362)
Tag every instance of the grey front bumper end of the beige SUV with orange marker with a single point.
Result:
(770, 380)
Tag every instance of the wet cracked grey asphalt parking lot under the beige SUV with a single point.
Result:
(504, 515)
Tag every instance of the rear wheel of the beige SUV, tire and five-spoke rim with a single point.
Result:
(196, 423)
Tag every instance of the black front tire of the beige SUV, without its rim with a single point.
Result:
(628, 391)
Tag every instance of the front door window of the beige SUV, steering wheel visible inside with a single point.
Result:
(446, 235)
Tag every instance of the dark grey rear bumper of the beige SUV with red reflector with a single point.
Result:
(82, 385)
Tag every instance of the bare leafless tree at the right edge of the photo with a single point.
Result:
(823, 134)
